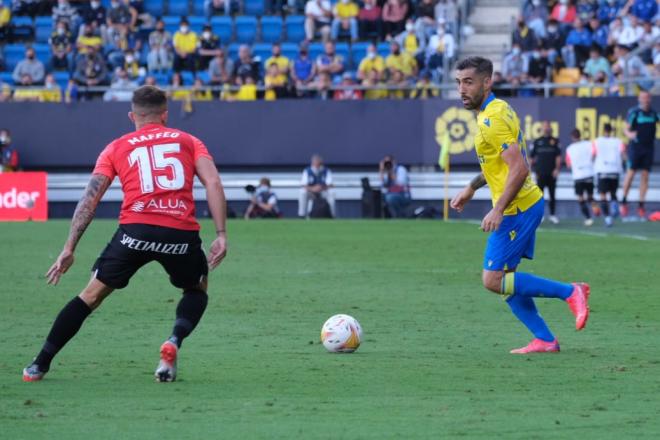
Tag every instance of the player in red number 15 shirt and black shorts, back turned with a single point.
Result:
(156, 166)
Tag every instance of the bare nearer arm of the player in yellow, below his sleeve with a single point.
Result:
(518, 172)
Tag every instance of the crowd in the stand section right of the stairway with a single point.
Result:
(585, 42)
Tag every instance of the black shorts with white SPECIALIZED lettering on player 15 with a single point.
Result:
(134, 245)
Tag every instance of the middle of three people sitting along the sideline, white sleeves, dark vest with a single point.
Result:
(316, 183)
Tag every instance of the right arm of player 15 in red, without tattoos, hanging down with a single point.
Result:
(215, 196)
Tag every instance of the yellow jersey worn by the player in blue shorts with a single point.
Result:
(498, 129)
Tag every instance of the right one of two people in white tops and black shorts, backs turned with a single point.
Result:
(609, 153)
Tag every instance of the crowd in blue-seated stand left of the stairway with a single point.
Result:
(225, 49)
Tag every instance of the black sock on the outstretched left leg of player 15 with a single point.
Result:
(65, 327)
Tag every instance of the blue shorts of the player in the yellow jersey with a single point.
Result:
(514, 239)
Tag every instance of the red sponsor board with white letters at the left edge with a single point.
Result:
(23, 196)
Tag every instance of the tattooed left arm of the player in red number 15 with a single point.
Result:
(82, 217)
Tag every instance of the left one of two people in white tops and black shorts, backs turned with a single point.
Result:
(579, 159)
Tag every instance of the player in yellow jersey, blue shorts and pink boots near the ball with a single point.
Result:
(517, 209)
